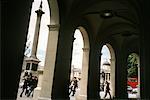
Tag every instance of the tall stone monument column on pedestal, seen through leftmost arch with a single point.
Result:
(32, 61)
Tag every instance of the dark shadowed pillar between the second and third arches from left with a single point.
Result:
(93, 87)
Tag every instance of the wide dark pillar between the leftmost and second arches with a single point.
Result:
(61, 79)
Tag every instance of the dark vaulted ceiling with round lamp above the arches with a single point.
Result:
(124, 19)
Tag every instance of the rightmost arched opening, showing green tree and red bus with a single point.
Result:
(133, 76)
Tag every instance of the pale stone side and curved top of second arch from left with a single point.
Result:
(85, 64)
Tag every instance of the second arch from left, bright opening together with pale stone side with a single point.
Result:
(80, 61)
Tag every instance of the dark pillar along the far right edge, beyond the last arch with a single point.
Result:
(145, 51)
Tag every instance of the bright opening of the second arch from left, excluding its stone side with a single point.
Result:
(76, 64)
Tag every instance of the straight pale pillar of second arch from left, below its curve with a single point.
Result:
(84, 78)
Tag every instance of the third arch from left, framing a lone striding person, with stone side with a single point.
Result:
(107, 72)
